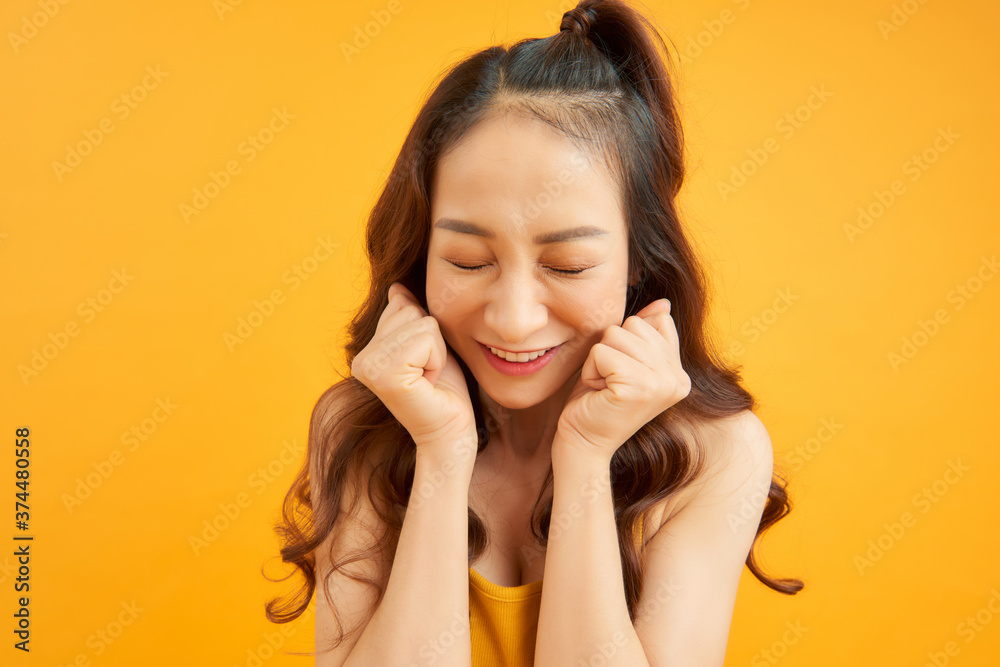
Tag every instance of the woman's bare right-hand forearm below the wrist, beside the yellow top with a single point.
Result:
(583, 618)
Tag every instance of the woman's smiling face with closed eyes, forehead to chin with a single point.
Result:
(521, 201)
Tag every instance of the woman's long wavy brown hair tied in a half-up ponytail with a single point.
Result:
(602, 78)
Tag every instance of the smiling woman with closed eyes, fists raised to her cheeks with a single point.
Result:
(532, 394)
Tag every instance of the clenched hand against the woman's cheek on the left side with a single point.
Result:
(407, 365)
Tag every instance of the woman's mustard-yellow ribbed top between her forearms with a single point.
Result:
(504, 620)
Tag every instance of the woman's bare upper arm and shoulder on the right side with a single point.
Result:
(699, 553)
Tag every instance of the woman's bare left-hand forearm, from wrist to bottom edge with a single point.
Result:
(423, 618)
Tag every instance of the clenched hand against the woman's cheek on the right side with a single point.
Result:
(633, 374)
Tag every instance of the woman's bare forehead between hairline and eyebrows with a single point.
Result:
(520, 176)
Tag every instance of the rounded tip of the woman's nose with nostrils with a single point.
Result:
(516, 310)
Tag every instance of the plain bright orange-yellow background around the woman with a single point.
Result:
(863, 433)
